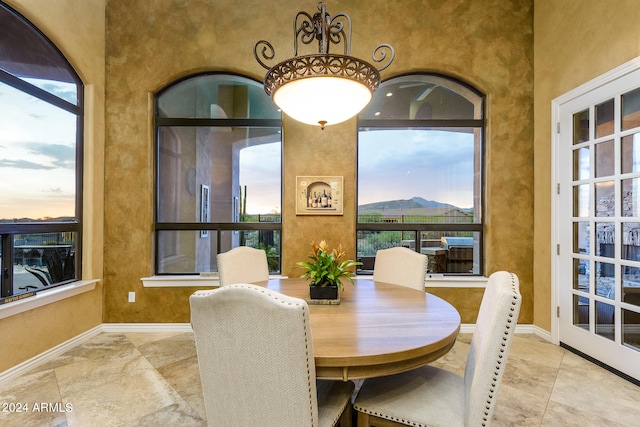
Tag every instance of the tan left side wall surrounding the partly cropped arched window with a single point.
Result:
(77, 28)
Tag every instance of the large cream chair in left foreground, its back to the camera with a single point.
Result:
(257, 368)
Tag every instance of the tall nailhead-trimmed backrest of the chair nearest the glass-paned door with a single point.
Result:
(490, 345)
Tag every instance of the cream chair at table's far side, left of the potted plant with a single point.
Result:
(243, 264)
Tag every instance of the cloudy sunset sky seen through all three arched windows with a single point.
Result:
(37, 162)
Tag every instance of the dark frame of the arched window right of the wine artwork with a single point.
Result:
(418, 228)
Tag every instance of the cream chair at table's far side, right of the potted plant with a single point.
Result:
(400, 266)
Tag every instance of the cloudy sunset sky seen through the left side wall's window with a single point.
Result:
(37, 157)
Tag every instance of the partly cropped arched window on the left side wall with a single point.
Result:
(41, 114)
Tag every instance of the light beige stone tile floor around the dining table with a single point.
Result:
(152, 379)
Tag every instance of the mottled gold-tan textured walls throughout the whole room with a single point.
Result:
(485, 43)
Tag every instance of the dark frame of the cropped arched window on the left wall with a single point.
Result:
(8, 230)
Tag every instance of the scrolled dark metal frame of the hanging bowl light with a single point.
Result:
(327, 30)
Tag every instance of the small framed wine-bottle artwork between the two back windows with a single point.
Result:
(319, 195)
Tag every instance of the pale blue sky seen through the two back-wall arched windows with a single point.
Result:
(392, 164)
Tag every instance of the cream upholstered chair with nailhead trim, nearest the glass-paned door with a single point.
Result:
(430, 396)
